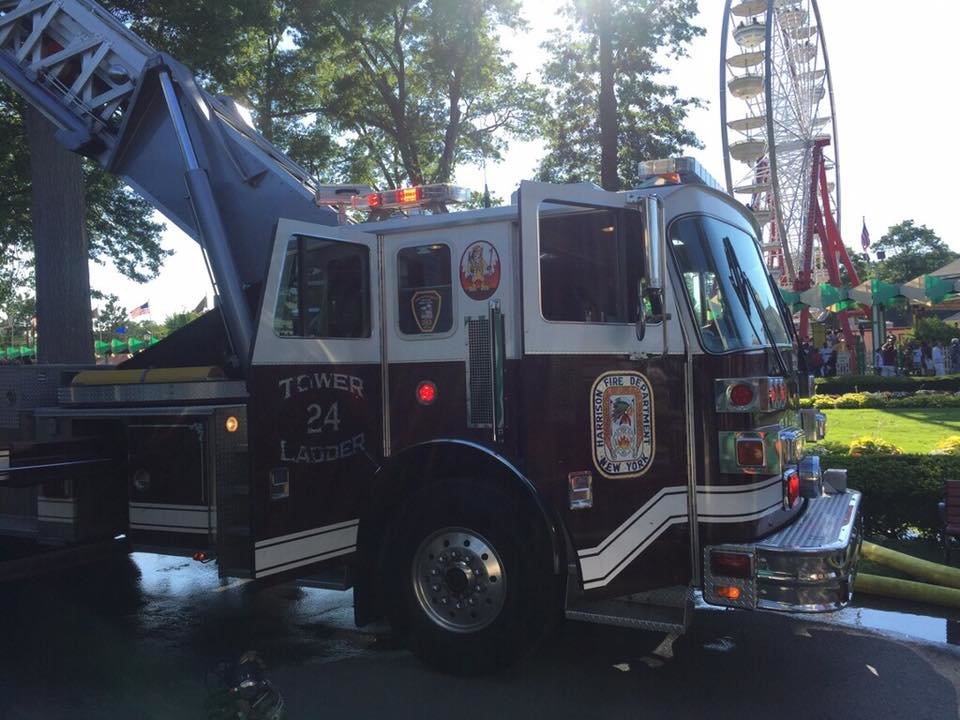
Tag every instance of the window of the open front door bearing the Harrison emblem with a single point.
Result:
(590, 265)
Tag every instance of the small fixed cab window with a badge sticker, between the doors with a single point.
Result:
(424, 290)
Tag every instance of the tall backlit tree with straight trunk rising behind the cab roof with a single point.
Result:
(609, 111)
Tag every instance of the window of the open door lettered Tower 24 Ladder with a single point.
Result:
(324, 290)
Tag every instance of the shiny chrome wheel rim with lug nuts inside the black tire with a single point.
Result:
(459, 581)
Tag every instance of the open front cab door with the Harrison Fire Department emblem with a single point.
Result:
(603, 409)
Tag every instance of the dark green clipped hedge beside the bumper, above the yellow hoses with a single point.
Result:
(900, 492)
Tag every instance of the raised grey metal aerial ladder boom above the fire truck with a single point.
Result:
(119, 102)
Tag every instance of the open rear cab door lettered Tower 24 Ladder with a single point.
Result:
(315, 420)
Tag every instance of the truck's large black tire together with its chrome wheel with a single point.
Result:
(468, 578)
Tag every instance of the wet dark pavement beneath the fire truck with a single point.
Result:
(140, 637)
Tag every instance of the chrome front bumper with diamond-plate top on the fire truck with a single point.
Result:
(808, 566)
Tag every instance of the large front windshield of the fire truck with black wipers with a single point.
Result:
(727, 285)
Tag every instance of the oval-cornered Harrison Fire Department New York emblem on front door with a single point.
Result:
(621, 405)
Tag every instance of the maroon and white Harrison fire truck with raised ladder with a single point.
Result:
(582, 404)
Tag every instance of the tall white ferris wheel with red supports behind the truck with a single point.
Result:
(780, 134)
